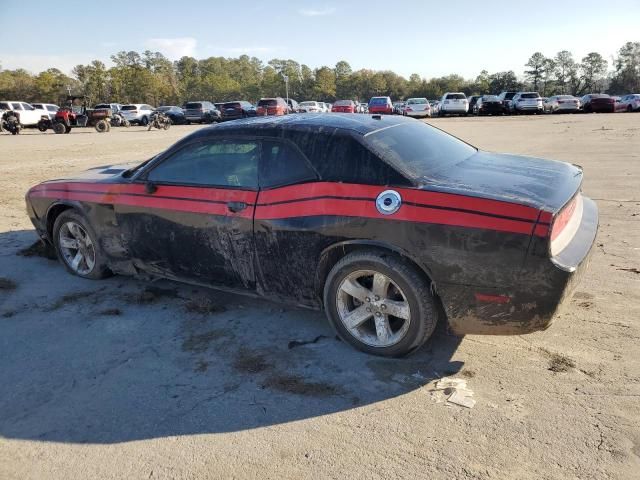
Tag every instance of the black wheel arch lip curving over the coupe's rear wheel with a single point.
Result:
(333, 253)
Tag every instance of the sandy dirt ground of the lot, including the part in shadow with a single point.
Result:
(127, 379)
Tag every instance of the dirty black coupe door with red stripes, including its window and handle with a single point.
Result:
(190, 214)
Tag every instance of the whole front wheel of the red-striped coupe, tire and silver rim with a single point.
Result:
(77, 246)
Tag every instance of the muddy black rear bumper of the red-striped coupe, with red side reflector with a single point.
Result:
(537, 295)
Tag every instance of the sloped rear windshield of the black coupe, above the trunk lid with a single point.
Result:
(417, 149)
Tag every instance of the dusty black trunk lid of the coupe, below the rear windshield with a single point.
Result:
(539, 183)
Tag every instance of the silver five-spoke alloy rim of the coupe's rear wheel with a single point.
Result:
(373, 308)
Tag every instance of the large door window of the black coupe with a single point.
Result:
(231, 163)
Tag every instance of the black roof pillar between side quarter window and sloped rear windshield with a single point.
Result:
(340, 158)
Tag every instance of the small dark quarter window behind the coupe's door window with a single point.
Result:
(282, 164)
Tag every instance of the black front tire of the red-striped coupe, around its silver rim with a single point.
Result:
(61, 230)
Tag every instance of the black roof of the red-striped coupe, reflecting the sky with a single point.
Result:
(357, 124)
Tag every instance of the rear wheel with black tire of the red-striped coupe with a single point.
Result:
(407, 286)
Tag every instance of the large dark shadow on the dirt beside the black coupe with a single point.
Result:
(124, 359)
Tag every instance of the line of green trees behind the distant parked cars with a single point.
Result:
(149, 77)
